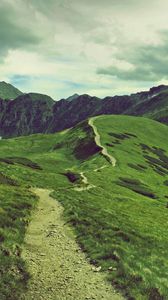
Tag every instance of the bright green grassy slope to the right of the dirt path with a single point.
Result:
(124, 226)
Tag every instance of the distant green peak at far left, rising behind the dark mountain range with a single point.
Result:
(8, 91)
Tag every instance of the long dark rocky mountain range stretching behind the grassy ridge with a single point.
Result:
(35, 113)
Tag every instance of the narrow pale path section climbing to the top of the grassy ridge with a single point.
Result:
(104, 151)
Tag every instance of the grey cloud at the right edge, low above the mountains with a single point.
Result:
(150, 63)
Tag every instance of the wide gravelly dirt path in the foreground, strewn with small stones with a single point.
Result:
(59, 269)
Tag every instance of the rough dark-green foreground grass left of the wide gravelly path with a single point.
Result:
(16, 204)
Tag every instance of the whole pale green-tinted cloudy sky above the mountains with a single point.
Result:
(62, 47)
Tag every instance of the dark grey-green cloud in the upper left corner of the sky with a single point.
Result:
(12, 34)
